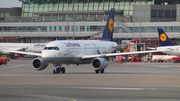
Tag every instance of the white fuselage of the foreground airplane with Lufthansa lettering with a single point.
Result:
(70, 52)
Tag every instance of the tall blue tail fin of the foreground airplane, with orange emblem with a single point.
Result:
(108, 31)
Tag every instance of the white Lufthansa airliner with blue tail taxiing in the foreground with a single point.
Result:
(95, 52)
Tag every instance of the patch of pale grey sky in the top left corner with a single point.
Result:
(10, 3)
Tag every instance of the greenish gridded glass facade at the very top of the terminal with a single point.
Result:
(30, 6)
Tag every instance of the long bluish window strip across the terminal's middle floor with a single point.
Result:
(83, 29)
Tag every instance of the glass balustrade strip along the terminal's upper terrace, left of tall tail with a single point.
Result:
(59, 18)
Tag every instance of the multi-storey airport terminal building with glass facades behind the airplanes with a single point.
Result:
(48, 20)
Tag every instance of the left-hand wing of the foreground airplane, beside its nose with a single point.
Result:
(22, 52)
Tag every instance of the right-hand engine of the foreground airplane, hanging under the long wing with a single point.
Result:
(99, 63)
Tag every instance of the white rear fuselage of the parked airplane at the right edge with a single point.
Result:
(174, 50)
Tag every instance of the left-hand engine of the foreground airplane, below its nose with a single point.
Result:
(39, 64)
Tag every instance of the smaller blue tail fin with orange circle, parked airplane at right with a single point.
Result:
(163, 38)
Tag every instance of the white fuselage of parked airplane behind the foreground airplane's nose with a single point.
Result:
(33, 47)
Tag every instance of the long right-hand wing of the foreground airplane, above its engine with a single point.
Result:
(122, 53)
